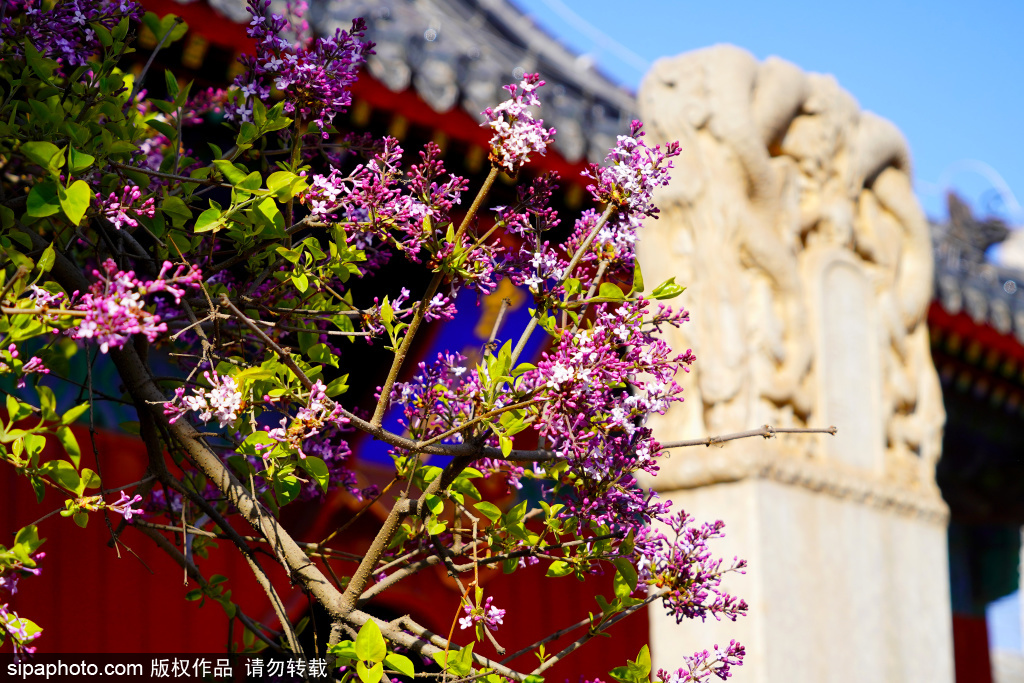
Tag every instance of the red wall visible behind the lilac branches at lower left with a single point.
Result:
(89, 600)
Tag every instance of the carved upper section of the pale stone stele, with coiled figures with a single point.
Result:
(792, 220)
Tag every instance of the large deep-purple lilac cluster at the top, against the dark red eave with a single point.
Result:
(316, 79)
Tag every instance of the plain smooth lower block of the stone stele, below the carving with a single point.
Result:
(839, 590)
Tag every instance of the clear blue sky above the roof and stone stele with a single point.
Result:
(949, 74)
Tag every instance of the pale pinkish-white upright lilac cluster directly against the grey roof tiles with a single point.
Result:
(518, 134)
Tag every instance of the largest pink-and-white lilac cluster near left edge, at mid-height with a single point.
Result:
(114, 307)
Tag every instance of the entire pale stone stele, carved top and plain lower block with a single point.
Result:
(792, 221)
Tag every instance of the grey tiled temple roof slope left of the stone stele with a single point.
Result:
(461, 53)
